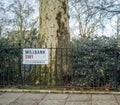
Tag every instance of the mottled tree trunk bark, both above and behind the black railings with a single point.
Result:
(54, 30)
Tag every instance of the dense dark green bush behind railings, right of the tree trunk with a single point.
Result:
(94, 60)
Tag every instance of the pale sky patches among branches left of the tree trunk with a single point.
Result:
(8, 15)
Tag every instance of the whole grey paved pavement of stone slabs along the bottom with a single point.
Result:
(42, 98)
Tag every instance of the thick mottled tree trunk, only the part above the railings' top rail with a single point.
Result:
(54, 23)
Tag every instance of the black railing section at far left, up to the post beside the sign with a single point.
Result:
(10, 68)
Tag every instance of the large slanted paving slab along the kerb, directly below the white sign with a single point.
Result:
(29, 99)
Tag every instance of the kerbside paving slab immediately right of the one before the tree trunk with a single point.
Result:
(80, 97)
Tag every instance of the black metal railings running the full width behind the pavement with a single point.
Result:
(68, 68)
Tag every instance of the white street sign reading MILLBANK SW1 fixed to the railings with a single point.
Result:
(35, 56)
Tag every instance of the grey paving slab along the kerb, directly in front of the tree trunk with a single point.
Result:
(56, 97)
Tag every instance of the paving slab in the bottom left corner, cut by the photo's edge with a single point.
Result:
(7, 98)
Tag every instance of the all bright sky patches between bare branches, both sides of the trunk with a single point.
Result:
(109, 30)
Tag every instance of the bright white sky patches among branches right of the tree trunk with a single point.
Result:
(108, 30)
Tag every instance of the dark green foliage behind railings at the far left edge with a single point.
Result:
(8, 62)
